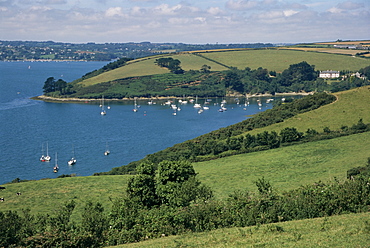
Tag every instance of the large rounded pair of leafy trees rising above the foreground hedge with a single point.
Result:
(173, 183)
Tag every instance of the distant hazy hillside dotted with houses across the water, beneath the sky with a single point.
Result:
(50, 50)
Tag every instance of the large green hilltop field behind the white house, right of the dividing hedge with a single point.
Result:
(280, 59)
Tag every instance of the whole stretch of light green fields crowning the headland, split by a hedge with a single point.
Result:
(271, 59)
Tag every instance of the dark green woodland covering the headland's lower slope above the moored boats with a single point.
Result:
(300, 77)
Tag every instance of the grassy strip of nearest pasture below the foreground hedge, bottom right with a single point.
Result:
(350, 230)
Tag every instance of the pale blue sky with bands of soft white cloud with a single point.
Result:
(191, 22)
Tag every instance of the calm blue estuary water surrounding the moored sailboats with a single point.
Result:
(26, 125)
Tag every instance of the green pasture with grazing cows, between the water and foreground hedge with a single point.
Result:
(47, 195)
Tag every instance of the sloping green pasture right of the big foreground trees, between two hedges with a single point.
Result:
(288, 167)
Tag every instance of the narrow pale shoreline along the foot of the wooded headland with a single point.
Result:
(88, 100)
